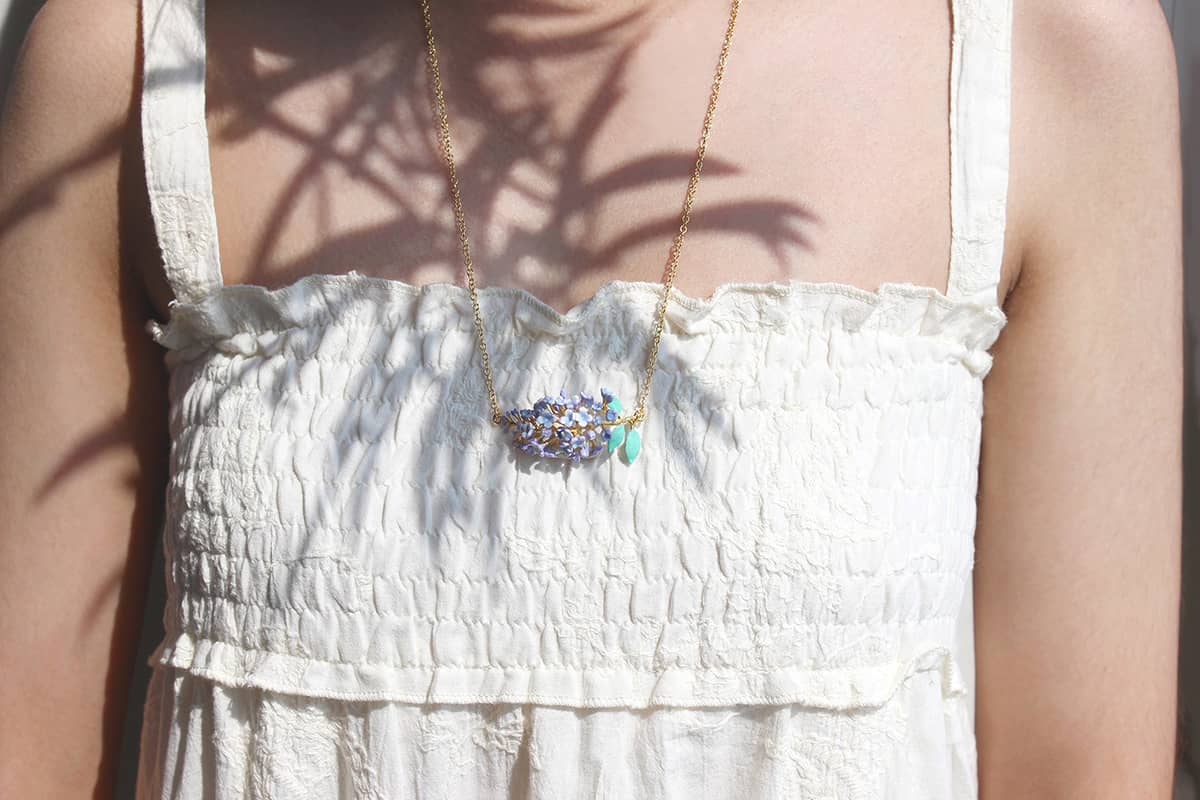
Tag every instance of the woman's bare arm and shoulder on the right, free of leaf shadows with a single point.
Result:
(1078, 545)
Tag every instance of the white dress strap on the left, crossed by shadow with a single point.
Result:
(176, 146)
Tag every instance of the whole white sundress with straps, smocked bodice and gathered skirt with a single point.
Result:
(370, 594)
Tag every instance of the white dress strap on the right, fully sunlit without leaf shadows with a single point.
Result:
(981, 88)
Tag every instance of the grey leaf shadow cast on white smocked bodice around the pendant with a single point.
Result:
(448, 410)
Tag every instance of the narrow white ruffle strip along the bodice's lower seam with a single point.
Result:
(857, 688)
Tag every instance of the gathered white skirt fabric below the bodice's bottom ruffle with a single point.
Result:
(230, 743)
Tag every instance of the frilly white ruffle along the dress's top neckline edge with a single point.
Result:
(250, 318)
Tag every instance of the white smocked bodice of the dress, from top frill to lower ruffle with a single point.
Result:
(345, 521)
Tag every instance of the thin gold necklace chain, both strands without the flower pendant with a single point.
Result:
(461, 222)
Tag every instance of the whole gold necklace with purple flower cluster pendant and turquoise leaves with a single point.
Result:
(578, 426)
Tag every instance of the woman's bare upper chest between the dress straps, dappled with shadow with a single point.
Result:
(575, 142)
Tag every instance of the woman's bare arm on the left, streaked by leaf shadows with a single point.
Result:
(82, 406)
